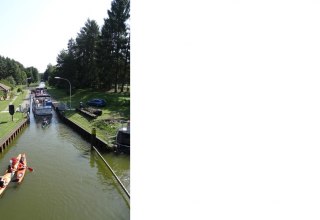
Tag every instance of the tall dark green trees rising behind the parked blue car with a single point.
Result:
(97, 59)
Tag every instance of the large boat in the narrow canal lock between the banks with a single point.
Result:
(41, 102)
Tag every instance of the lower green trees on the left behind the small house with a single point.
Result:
(13, 73)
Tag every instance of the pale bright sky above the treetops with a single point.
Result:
(34, 32)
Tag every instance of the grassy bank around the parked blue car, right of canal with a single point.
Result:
(117, 110)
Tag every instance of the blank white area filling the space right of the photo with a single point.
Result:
(225, 110)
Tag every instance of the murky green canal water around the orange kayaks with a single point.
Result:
(68, 182)
